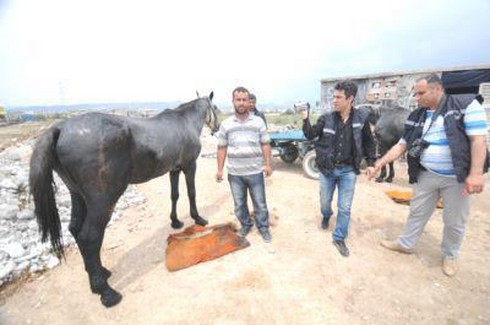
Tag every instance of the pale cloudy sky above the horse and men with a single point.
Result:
(68, 52)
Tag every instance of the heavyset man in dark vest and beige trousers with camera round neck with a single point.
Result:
(447, 157)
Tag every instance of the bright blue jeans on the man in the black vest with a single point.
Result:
(345, 179)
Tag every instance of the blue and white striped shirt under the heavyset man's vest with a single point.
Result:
(437, 157)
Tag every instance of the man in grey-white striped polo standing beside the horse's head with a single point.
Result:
(243, 138)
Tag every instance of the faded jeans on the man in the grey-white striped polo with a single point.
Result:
(256, 186)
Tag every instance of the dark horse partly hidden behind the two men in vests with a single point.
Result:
(389, 125)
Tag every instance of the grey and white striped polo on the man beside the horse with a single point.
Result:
(243, 140)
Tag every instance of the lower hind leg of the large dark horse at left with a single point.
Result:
(90, 241)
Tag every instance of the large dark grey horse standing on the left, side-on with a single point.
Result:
(97, 156)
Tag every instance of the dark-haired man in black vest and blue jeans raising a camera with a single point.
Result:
(344, 139)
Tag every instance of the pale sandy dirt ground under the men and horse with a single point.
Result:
(299, 278)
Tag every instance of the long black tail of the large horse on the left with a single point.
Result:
(42, 185)
